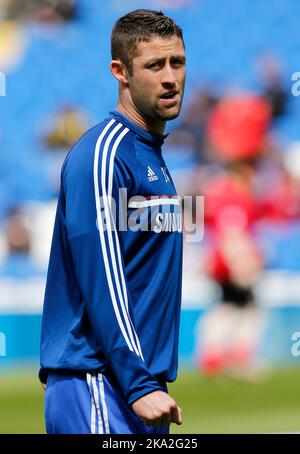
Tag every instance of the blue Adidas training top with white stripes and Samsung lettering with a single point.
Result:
(113, 293)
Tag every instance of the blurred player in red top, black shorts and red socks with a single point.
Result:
(237, 130)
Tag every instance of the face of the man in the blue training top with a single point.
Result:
(158, 78)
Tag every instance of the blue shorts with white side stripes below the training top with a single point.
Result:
(85, 405)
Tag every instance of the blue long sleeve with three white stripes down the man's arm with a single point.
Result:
(91, 199)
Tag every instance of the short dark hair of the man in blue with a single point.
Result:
(137, 26)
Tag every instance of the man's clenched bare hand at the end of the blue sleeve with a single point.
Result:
(158, 409)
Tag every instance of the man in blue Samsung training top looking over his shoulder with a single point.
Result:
(111, 314)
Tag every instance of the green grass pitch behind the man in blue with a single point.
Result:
(209, 406)
